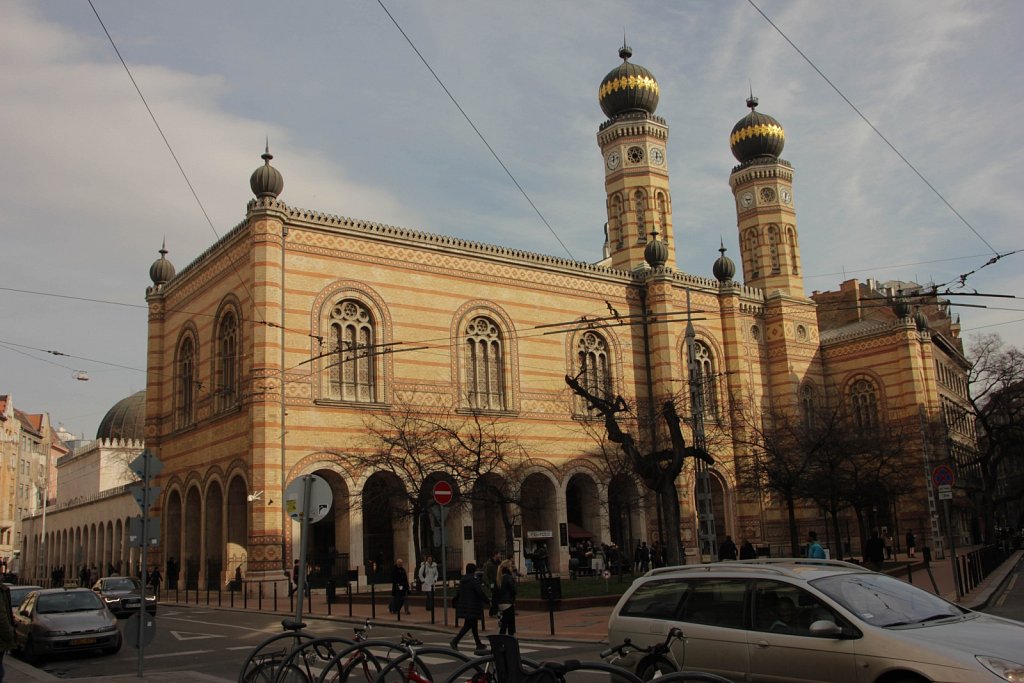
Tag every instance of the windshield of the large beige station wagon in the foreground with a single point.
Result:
(884, 602)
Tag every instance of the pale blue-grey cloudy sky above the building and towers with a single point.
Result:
(360, 129)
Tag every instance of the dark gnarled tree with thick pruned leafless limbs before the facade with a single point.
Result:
(659, 471)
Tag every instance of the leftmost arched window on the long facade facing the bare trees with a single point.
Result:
(354, 354)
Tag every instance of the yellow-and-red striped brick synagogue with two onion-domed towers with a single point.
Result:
(273, 352)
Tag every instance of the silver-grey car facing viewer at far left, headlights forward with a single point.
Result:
(58, 621)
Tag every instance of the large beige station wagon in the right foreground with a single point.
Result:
(795, 620)
